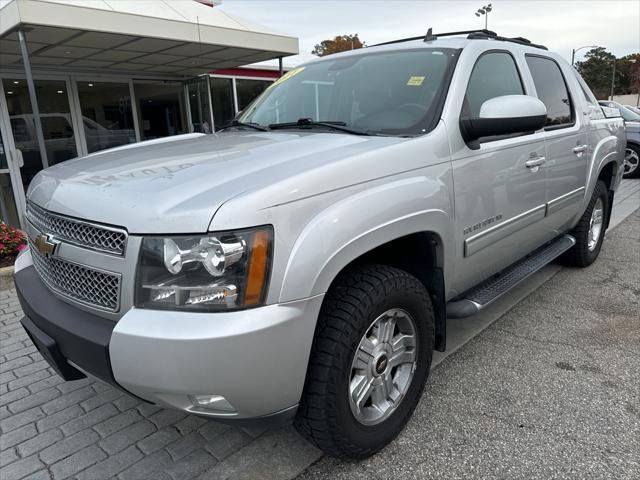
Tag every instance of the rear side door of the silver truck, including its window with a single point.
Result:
(566, 139)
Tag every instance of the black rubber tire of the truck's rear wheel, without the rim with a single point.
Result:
(580, 255)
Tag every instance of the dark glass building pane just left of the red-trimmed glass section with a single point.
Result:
(161, 109)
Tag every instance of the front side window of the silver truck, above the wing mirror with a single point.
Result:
(495, 74)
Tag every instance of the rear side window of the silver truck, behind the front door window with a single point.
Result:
(552, 90)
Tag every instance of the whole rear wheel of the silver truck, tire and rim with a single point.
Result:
(589, 233)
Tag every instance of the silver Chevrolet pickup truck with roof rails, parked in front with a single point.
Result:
(301, 264)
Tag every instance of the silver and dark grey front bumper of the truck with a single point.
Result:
(256, 359)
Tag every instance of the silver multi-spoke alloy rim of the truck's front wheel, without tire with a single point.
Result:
(383, 366)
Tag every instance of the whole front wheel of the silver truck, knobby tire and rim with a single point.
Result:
(369, 362)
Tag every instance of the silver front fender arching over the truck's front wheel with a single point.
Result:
(317, 258)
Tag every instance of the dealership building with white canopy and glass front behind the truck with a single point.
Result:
(77, 77)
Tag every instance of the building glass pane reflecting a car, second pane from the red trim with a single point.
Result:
(107, 117)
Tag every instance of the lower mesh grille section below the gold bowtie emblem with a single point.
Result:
(86, 285)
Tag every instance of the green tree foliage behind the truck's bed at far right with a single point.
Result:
(597, 70)
